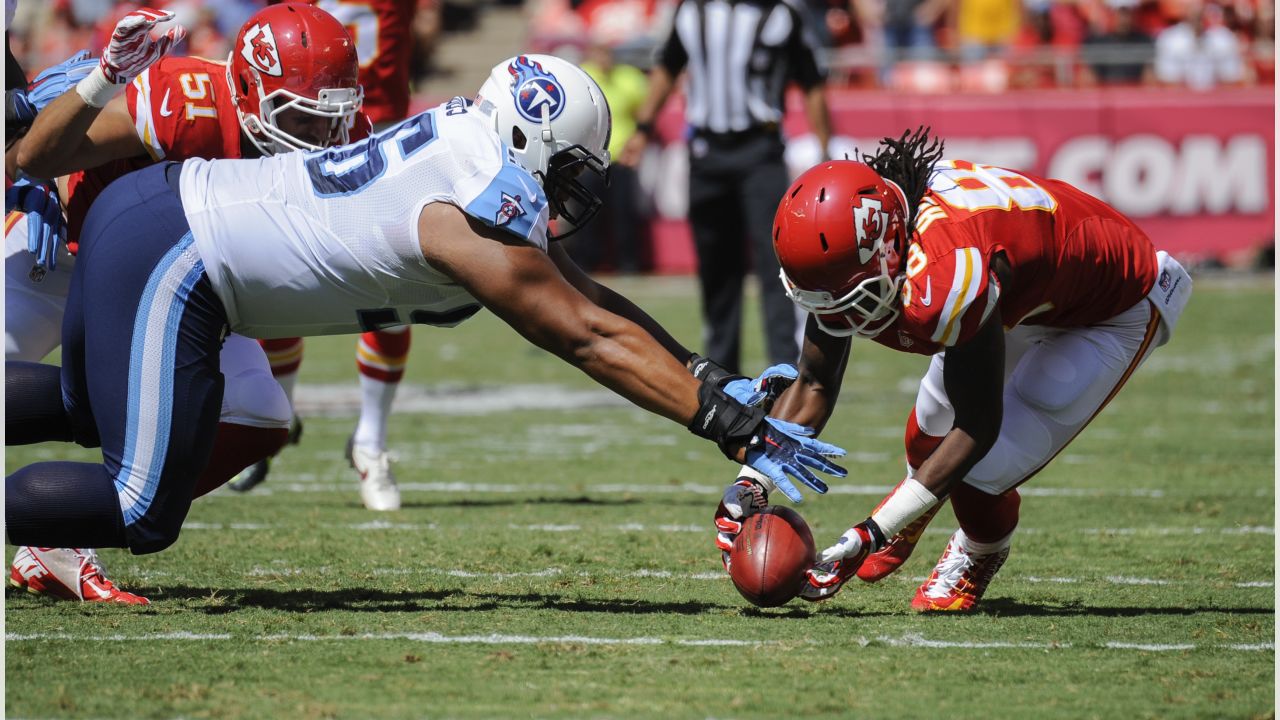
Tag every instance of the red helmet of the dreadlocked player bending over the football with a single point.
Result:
(840, 235)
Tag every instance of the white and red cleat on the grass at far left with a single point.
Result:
(67, 573)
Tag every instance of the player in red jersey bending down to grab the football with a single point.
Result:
(1036, 302)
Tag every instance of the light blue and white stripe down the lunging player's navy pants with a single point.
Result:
(152, 370)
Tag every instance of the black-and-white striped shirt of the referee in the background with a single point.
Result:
(740, 56)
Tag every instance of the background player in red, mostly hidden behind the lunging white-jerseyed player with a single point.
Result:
(382, 33)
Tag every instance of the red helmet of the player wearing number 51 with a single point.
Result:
(292, 74)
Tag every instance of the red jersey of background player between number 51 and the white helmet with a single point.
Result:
(382, 31)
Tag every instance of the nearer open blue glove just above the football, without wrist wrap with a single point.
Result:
(785, 449)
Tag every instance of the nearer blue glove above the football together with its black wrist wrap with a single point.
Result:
(774, 448)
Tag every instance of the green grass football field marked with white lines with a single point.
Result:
(559, 562)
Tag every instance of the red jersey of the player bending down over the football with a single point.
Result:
(1076, 261)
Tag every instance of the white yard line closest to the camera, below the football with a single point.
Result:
(907, 641)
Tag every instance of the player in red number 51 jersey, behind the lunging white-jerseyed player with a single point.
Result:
(289, 84)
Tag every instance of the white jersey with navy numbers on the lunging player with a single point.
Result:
(327, 243)
